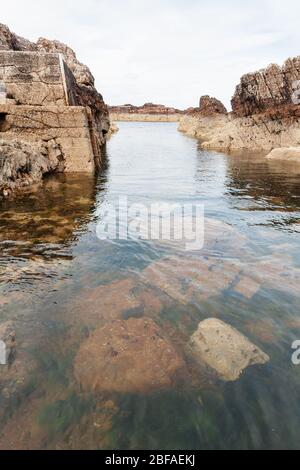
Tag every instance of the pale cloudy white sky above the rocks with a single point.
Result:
(164, 51)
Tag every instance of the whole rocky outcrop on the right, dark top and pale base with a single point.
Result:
(266, 113)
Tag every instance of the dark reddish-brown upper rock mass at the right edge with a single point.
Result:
(268, 88)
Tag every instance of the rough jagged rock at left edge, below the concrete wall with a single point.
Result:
(23, 163)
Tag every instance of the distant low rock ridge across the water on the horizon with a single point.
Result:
(147, 112)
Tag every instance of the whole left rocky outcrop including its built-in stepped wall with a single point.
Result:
(48, 100)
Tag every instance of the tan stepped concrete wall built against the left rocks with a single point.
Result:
(38, 102)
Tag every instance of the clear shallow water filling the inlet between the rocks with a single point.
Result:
(55, 275)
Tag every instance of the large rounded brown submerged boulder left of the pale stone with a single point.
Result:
(130, 356)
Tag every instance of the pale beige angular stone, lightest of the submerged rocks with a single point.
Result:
(224, 349)
